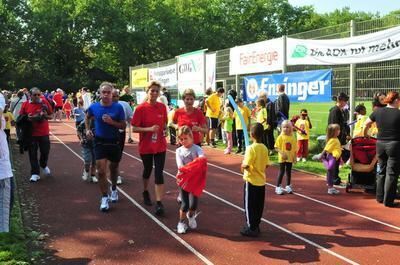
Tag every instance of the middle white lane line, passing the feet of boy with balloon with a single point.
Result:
(268, 222)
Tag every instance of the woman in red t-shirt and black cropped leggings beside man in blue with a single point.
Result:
(150, 121)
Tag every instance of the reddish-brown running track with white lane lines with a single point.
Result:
(306, 227)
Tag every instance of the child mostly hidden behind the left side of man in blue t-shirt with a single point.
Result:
(87, 153)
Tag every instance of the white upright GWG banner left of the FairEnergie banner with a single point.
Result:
(191, 72)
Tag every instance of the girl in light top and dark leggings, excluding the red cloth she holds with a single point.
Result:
(184, 155)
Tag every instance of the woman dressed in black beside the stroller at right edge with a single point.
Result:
(387, 148)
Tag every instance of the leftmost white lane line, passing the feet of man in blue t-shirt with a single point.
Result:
(169, 231)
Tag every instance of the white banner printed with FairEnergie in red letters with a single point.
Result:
(259, 57)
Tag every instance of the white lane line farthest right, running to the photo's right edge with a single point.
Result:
(304, 196)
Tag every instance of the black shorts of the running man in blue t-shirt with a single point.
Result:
(107, 149)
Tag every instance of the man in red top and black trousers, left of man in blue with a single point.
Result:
(39, 112)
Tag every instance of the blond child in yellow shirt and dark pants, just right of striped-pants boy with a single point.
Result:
(286, 147)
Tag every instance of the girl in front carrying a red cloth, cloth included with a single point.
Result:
(191, 178)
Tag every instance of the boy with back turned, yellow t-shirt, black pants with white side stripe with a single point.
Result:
(255, 162)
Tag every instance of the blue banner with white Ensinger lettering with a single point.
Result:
(308, 86)
